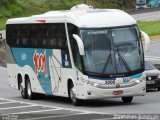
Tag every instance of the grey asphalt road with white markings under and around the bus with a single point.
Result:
(59, 108)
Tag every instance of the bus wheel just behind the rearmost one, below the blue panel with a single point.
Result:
(31, 95)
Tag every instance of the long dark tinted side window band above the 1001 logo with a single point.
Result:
(37, 35)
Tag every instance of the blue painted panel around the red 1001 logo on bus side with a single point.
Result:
(25, 56)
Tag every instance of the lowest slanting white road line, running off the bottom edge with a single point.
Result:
(58, 116)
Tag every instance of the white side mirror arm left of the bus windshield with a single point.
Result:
(79, 43)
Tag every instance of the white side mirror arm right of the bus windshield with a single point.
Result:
(146, 41)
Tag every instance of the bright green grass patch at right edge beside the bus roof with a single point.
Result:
(152, 28)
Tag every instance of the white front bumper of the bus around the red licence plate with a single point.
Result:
(98, 93)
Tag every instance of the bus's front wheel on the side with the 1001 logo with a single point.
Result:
(73, 97)
